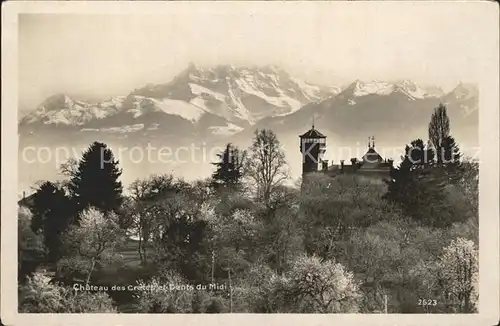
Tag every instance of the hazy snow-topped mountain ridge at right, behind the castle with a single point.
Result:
(388, 110)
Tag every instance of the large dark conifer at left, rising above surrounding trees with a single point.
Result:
(96, 183)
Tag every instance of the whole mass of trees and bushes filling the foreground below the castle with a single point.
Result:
(244, 241)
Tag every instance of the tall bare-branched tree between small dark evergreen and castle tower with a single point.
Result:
(267, 165)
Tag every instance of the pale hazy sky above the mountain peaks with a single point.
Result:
(107, 54)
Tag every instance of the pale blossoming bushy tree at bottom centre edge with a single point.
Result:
(309, 286)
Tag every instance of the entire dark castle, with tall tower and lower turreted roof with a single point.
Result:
(313, 148)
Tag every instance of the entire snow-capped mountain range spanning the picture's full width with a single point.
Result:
(215, 105)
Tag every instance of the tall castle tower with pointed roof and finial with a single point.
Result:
(312, 147)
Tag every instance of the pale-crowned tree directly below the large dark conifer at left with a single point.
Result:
(91, 243)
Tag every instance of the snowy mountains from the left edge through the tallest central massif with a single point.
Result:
(230, 98)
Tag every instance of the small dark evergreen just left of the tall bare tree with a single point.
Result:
(229, 172)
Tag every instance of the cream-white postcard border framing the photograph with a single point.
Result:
(483, 13)
